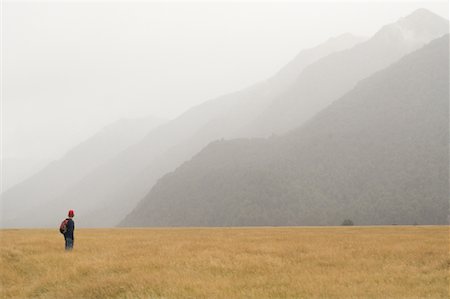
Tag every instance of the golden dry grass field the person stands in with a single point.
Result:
(291, 262)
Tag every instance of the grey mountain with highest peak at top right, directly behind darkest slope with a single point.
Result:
(330, 78)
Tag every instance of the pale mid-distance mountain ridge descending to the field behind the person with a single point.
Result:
(108, 192)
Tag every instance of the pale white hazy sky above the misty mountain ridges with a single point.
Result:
(70, 68)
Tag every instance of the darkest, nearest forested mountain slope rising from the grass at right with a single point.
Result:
(377, 155)
